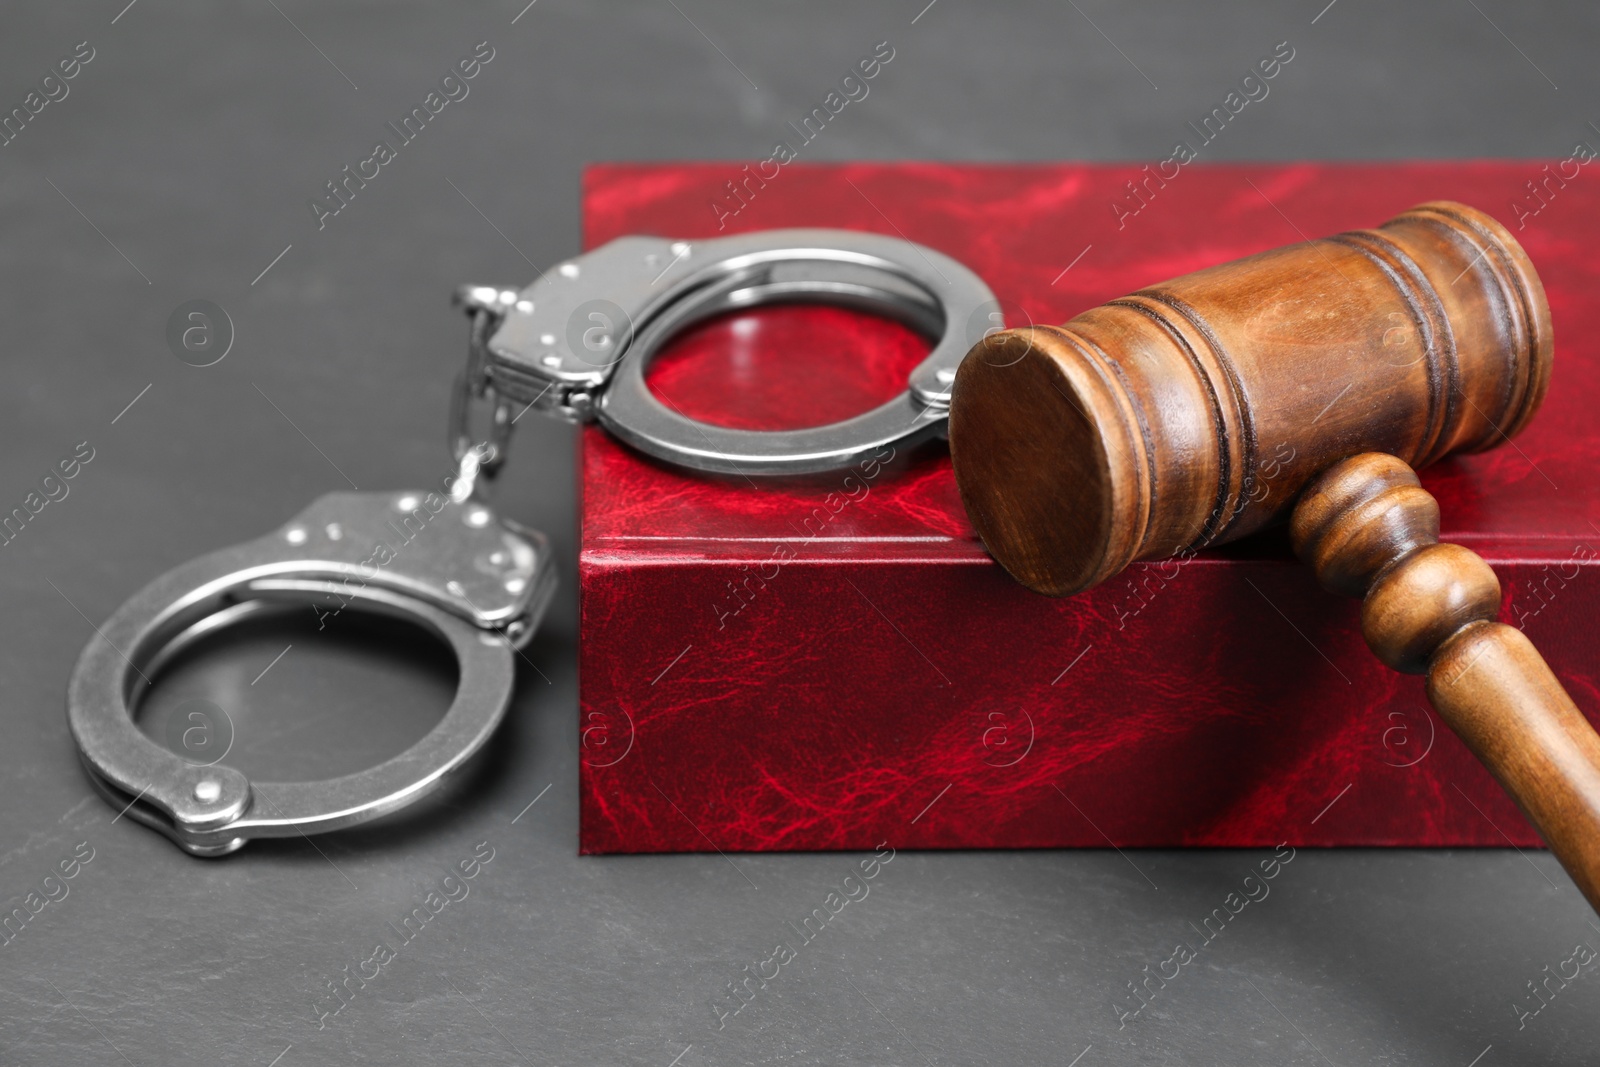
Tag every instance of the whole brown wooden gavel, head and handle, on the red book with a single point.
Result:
(1302, 383)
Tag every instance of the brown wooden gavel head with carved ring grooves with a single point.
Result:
(1194, 412)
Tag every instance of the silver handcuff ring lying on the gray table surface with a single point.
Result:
(478, 583)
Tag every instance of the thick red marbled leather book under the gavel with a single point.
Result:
(836, 663)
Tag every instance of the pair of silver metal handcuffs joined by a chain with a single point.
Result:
(577, 345)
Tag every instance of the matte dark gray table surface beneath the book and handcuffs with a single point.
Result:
(180, 167)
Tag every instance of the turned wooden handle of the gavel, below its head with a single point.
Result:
(1370, 530)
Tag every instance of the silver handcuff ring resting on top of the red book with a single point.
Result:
(577, 343)
